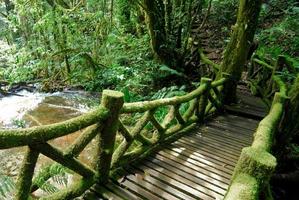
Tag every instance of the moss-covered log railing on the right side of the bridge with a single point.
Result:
(256, 163)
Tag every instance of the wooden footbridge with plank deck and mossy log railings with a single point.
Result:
(190, 152)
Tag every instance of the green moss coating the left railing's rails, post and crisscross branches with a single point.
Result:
(105, 120)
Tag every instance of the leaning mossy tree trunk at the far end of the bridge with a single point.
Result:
(236, 52)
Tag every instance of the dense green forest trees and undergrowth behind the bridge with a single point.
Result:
(151, 49)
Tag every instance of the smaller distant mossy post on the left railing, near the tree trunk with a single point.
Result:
(203, 101)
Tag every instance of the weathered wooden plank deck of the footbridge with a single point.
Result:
(197, 166)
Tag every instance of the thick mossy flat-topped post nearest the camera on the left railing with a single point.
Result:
(113, 101)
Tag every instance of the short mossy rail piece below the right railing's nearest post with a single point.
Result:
(244, 187)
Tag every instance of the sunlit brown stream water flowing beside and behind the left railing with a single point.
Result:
(26, 109)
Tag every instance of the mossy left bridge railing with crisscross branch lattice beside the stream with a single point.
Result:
(118, 141)
